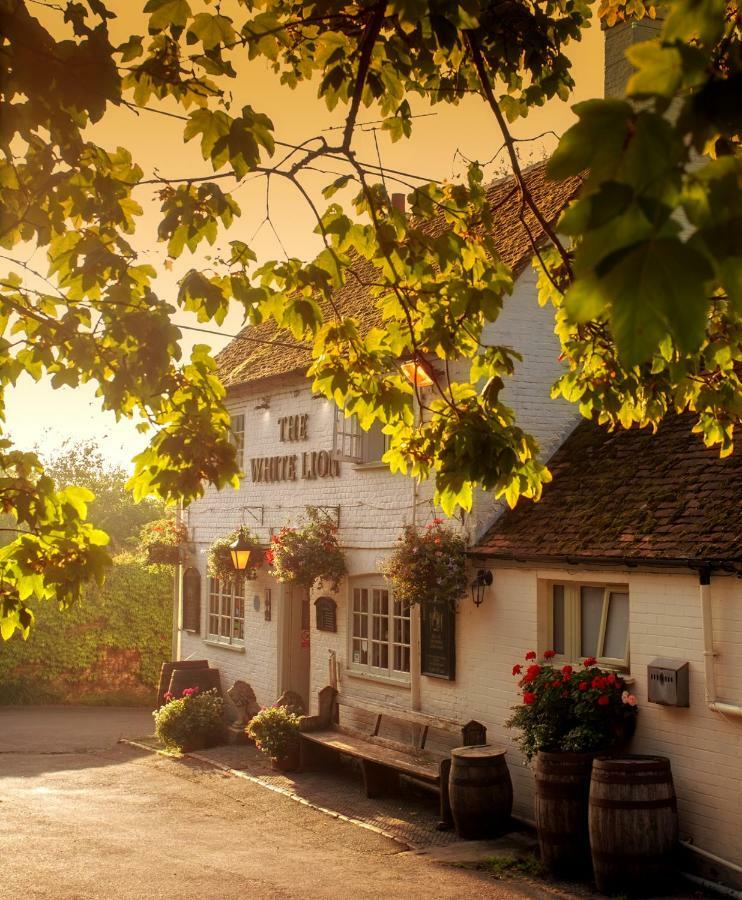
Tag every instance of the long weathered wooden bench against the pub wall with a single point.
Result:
(383, 760)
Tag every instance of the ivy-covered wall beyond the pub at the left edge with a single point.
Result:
(106, 650)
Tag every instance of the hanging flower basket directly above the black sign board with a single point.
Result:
(428, 566)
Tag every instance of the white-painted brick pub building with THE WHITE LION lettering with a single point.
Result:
(633, 554)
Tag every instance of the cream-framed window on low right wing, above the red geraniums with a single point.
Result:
(590, 619)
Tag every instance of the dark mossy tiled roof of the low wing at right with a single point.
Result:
(630, 496)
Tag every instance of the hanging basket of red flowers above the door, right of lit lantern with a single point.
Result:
(309, 554)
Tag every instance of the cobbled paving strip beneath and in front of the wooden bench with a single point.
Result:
(410, 818)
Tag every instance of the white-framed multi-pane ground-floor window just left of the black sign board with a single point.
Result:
(380, 631)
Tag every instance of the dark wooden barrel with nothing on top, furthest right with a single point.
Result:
(633, 823)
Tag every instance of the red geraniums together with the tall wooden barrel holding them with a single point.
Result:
(568, 714)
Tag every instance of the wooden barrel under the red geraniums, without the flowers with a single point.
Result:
(562, 790)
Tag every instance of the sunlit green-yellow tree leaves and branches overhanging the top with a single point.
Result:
(648, 313)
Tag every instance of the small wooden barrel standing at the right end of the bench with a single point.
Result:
(480, 791)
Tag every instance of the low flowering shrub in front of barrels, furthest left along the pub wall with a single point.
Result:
(190, 722)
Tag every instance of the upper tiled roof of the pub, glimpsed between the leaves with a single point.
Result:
(245, 360)
